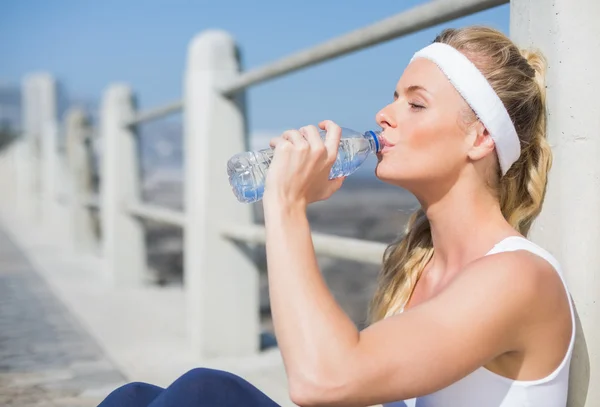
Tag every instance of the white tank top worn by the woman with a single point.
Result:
(483, 388)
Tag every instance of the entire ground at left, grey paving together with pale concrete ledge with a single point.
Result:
(89, 336)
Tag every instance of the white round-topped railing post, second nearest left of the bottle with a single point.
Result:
(124, 247)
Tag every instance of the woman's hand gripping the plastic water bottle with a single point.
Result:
(299, 172)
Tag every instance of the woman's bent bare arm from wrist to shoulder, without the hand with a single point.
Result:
(329, 362)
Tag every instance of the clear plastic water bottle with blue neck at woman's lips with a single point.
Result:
(247, 171)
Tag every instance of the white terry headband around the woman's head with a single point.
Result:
(478, 93)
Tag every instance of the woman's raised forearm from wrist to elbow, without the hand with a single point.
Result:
(314, 334)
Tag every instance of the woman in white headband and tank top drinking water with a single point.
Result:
(468, 311)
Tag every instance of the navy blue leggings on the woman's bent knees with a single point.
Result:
(197, 388)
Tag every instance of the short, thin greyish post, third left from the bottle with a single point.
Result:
(79, 168)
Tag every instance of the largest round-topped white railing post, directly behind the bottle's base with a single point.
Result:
(221, 282)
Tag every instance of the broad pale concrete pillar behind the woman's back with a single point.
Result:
(569, 226)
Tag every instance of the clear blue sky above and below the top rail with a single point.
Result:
(89, 44)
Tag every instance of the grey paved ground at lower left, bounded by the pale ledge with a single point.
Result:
(46, 357)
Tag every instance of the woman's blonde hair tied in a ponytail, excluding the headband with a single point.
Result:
(517, 76)
